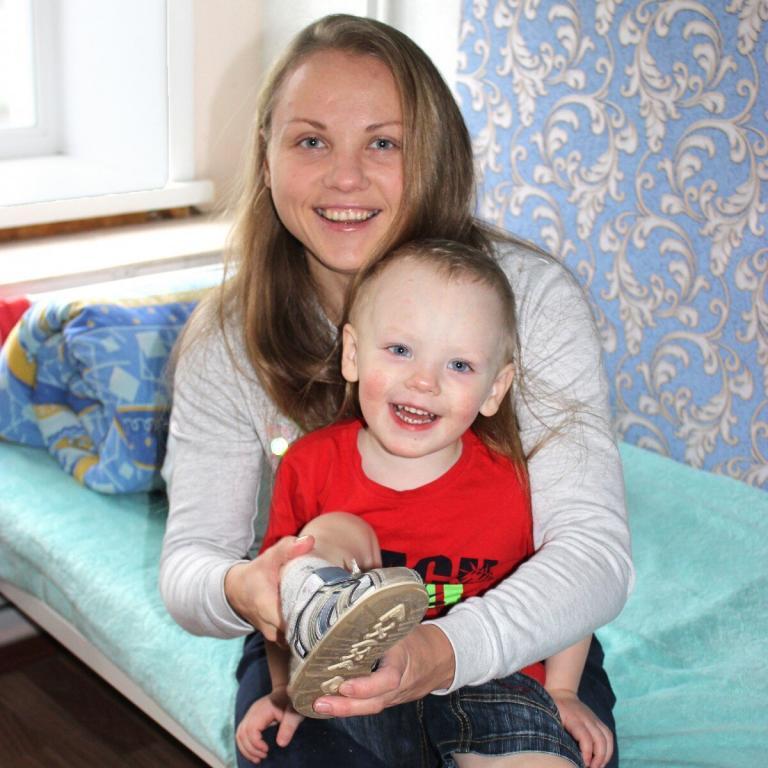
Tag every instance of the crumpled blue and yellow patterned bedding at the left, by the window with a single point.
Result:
(87, 380)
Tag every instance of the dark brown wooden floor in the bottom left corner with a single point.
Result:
(56, 713)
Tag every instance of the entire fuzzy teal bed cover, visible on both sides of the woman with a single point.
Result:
(686, 656)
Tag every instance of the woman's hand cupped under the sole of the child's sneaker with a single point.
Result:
(420, 663)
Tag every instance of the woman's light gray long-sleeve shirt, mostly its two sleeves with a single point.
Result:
(223, 448)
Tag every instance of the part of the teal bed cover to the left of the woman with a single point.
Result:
(94, 559)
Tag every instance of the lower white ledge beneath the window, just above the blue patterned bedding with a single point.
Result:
(49, 264)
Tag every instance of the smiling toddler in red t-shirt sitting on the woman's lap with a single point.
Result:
(427, 477)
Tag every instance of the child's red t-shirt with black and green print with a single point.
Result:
(463, 533)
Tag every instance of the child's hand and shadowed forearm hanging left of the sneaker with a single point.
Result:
(274, 708)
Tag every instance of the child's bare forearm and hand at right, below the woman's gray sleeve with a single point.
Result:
(564, 671)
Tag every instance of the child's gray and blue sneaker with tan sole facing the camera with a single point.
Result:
(347, 626)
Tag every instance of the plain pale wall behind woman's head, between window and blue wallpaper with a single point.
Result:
(236, 41)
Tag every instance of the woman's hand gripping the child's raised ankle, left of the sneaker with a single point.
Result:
(253, 589)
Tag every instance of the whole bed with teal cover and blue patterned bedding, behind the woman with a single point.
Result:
(83, 411)
